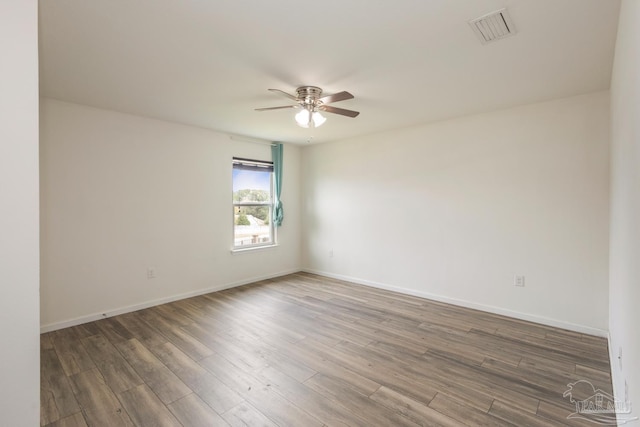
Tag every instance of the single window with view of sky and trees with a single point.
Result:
(252, 203)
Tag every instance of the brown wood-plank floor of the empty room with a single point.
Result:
(304, 350)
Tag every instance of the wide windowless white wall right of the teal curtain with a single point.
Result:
(453, 210)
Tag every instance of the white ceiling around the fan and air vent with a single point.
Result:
(209, 63)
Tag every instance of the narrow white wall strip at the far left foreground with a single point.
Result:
(19, 274)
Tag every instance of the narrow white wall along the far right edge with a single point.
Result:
(624, 292)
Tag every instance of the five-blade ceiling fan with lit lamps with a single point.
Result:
(311, 102)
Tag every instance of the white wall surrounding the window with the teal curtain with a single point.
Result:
(121, 193)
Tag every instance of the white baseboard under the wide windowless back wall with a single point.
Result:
(468, 304)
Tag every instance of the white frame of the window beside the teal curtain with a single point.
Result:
(260, 166)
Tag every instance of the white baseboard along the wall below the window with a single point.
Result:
(135, 307)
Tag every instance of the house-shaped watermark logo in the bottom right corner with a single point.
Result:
(596, 406)
